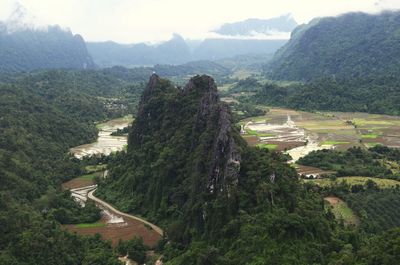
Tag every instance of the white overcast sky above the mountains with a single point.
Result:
(129, 21)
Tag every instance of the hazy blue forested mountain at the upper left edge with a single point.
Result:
(29, 49)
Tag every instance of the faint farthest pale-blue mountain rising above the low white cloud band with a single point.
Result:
(257, 27)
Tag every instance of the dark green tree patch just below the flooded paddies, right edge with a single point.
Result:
(379, 161)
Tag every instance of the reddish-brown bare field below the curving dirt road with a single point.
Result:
(125, 231)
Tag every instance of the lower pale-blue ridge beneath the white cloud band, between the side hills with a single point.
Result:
(177, 51)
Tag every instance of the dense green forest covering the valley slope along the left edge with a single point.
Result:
(42, 115)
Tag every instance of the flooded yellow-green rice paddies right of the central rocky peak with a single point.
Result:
(288, 129)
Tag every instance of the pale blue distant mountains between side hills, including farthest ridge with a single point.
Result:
(252, 36)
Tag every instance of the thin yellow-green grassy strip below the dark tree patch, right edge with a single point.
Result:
(357, 180)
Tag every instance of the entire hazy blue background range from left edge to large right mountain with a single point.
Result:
(25, 46)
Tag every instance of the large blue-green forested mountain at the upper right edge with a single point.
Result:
(351, 45)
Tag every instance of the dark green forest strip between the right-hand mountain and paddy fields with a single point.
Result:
(374, 95)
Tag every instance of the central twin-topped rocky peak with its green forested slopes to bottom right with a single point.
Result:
(221, 201)
